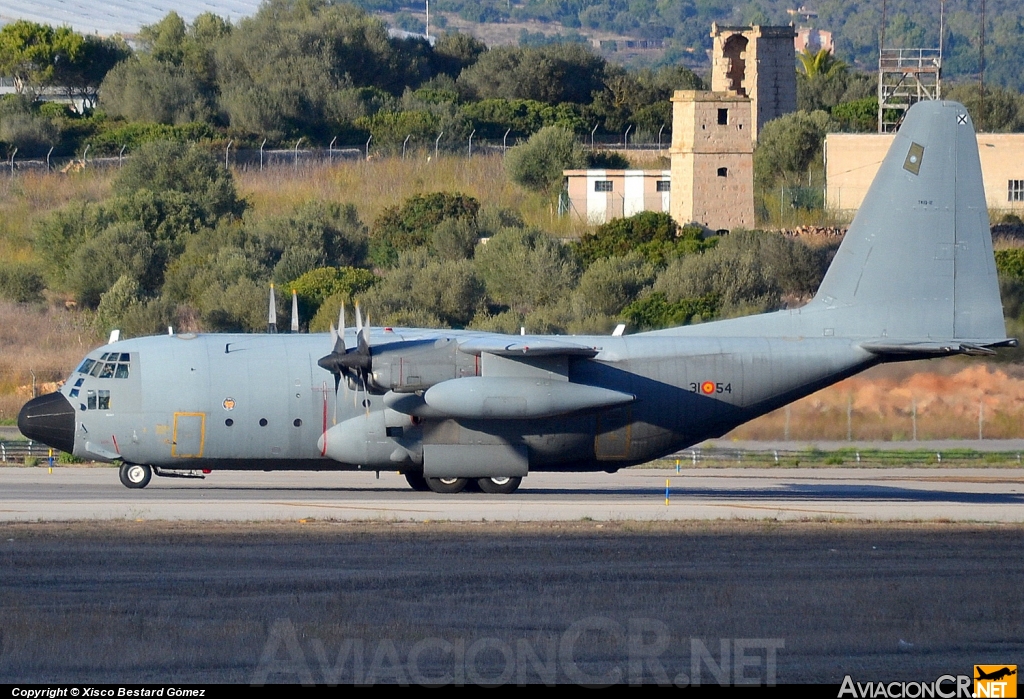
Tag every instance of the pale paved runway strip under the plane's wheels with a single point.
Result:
(983, 495)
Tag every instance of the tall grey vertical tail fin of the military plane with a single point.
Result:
(917, 264)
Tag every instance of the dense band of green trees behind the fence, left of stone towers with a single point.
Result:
(318, 71)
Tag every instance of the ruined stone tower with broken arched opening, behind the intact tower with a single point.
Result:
(758, 63)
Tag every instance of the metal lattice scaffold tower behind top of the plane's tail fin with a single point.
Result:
(907, 76)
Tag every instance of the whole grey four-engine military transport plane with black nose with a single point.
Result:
(914, 279)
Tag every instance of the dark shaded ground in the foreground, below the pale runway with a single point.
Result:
(444, 603)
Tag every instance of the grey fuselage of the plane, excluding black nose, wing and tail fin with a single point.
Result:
(261, 402)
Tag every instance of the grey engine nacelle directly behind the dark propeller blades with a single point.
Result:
(416, 366)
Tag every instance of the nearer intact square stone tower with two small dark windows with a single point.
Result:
(712, 160)
